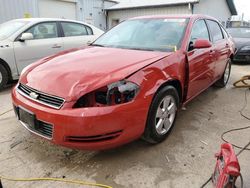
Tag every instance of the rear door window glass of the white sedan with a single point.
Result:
(73, 29)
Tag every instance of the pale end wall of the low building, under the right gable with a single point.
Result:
(216, 8)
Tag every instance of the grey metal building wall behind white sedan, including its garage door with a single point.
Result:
(90, 11)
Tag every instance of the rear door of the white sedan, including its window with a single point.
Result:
(76, 35)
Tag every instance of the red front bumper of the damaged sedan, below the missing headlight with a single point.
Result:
(92, 128)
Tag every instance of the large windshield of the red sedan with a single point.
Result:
(145, 34)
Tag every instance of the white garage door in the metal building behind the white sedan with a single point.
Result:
(57, 9)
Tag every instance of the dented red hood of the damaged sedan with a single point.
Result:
(73, 74)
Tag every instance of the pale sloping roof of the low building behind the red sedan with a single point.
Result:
(128, 4)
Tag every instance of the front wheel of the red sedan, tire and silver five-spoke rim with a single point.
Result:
(157, 117)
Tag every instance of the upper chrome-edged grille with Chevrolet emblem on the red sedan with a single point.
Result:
(45, 99)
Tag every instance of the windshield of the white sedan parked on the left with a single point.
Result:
(9, 28)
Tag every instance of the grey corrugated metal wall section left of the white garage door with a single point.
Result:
(12, 9)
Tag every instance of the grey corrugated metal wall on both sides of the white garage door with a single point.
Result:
(90, 11)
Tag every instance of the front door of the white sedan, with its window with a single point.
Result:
(45, 42)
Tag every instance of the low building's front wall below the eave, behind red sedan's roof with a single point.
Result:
(116, 16)
